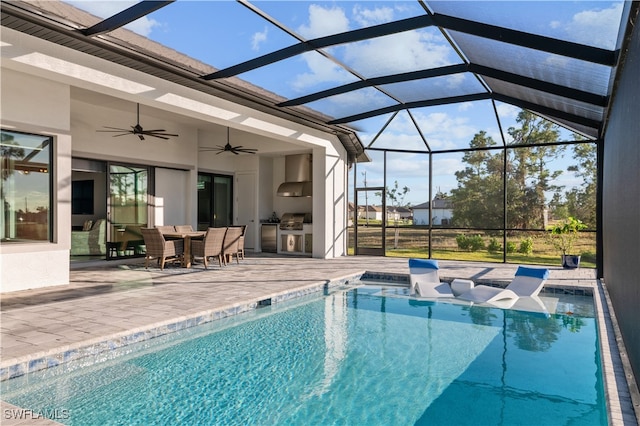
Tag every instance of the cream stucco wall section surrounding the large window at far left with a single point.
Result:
(32, 104)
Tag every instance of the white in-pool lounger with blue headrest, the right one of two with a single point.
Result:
(527, 283)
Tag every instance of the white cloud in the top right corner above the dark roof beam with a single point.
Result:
(597, 27)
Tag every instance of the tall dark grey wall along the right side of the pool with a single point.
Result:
(621, 203)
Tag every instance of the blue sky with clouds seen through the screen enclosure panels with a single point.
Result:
(227, 33)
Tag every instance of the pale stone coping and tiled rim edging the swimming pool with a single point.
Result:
(620, 395)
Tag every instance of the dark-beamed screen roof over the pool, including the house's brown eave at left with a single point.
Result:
(406, 75)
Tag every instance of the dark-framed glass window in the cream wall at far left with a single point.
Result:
(26, 187)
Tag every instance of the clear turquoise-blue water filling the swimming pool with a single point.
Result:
(367, 356)
